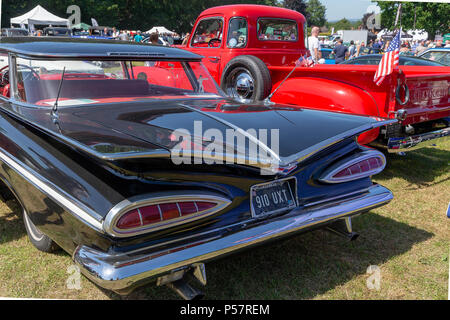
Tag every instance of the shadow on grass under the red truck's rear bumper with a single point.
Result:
(420, 167)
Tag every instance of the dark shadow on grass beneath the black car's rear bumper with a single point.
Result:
(304, 266)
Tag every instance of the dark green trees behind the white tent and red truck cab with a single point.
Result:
(178, 15)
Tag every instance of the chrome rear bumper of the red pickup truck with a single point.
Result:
(418, 141)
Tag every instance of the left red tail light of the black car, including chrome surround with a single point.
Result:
(161, 212)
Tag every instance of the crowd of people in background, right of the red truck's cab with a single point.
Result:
(356, 48)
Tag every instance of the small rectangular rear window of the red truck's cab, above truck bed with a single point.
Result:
(277, 30)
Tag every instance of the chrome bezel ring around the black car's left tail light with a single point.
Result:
(125, 206)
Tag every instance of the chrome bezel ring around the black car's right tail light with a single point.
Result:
(328, 175)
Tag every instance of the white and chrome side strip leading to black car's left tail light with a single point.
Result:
(61, 197)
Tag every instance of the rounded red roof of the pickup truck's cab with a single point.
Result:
(254, 10)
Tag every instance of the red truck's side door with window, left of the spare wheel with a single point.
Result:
(207, 41)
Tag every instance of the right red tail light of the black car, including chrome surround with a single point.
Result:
(361, 165)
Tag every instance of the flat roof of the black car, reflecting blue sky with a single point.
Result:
(76, 48)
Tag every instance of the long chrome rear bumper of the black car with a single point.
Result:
(123, 272)
